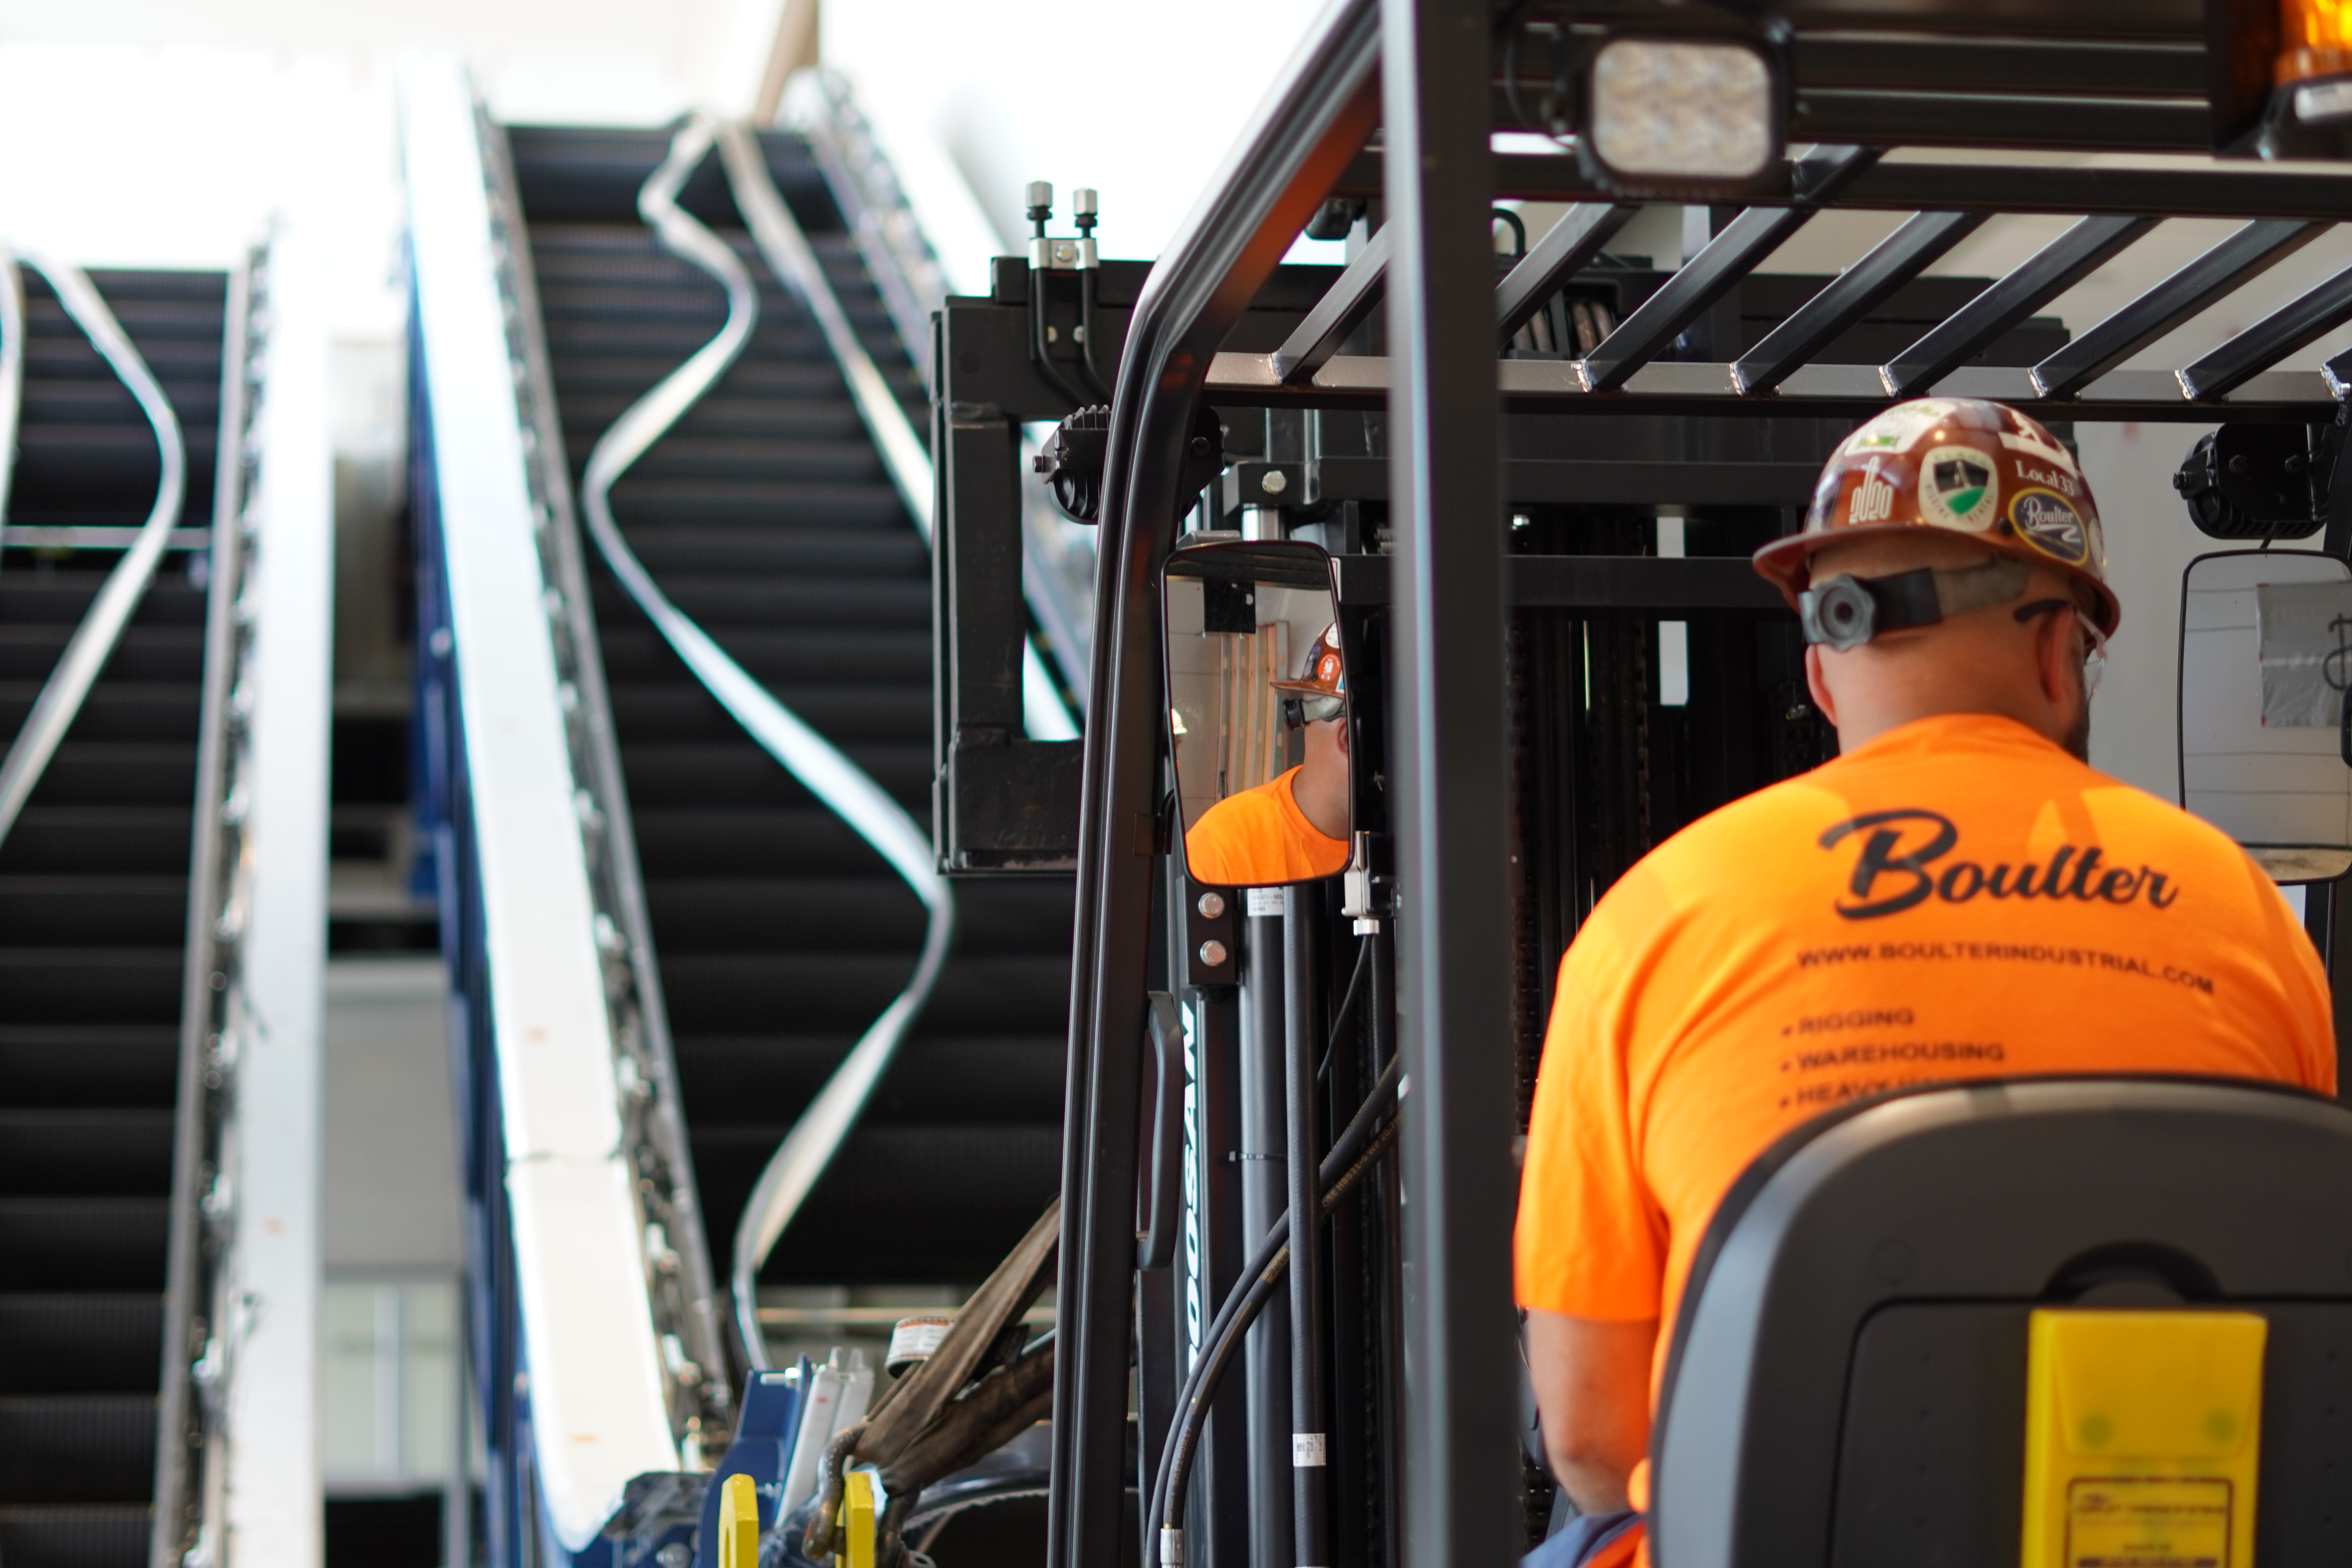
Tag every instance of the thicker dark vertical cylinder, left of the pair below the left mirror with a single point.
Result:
(1264, 1200)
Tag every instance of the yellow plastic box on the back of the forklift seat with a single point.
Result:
(2141, 1438)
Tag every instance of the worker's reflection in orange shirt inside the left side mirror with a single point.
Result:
(1292, 829)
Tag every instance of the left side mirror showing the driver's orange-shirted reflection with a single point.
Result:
(1259, 713)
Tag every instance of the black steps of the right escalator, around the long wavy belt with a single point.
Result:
(768, 518)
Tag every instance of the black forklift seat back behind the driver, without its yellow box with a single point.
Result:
(1847, 1386)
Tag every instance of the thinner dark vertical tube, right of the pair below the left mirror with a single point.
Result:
(1302, 1043)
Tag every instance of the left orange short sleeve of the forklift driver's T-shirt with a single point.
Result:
(1591, 1238)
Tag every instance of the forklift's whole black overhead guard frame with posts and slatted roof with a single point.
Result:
(1424, 72)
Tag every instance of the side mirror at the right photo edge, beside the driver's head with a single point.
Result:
(2266, 744)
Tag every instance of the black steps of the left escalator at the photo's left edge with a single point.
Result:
(95, 923)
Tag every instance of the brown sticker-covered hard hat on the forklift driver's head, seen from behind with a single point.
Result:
(1965, 467)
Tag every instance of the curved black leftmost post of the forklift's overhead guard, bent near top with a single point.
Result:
(1231, 243)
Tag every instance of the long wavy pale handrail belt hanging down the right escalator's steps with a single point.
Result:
(822, 768)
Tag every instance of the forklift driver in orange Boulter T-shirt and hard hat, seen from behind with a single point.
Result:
(1958, 897)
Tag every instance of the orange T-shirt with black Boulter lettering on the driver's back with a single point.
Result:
(1958, 899)
